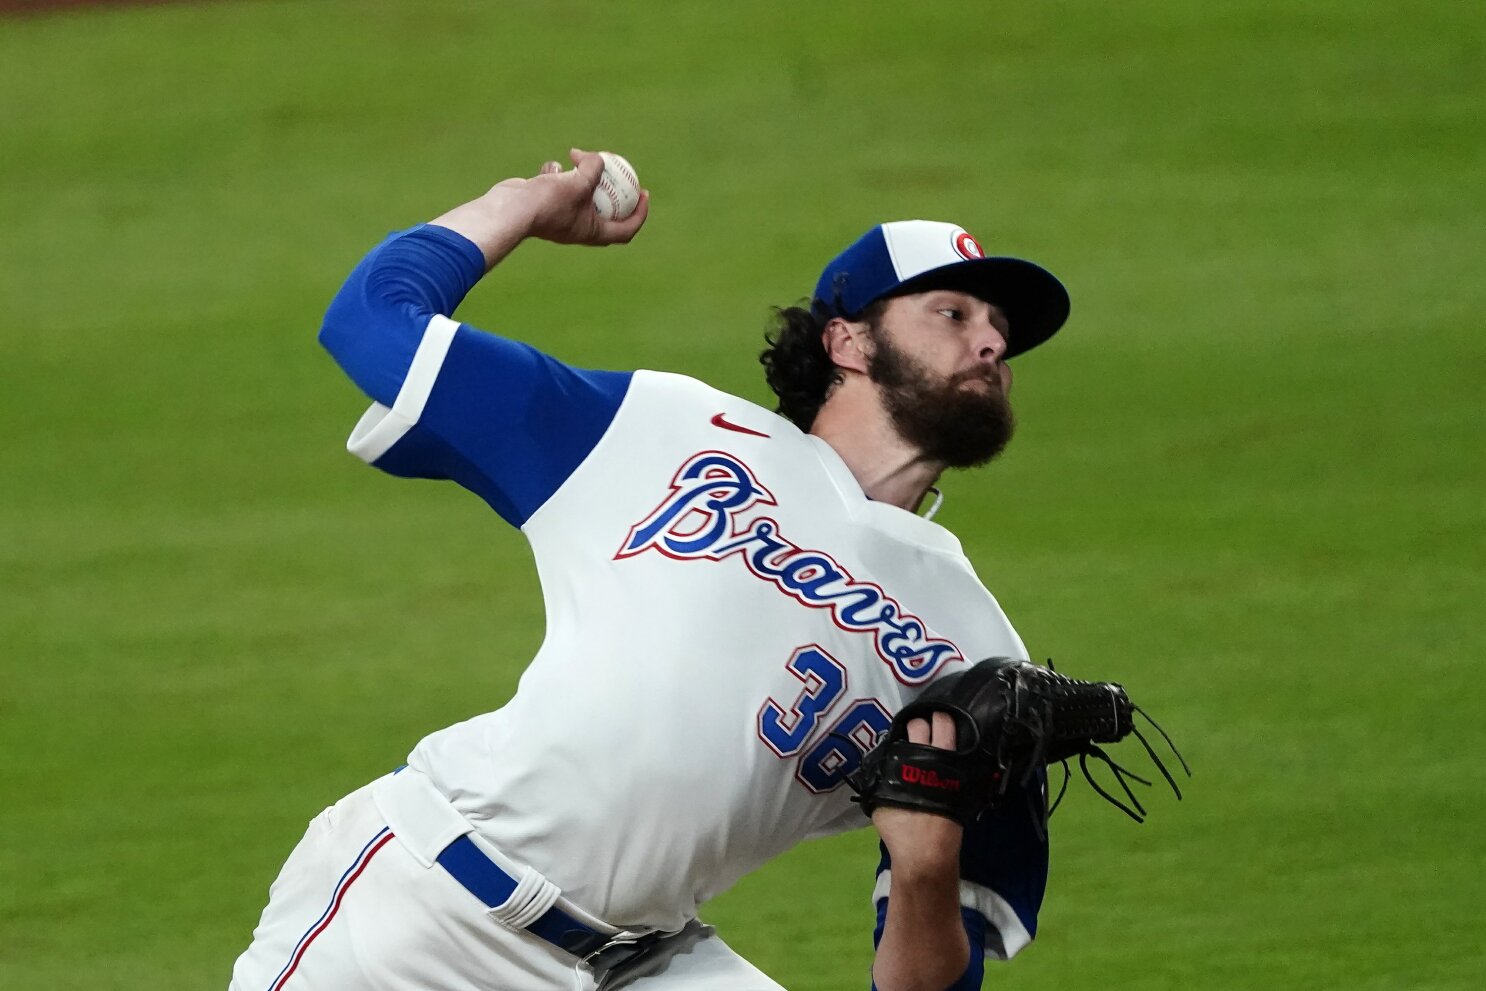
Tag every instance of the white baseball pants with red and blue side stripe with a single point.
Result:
(354, 909)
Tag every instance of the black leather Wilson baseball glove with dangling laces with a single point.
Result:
(1013, 718)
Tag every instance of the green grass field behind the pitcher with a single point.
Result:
(1250, 479)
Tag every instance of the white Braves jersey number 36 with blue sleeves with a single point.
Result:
(730, 620)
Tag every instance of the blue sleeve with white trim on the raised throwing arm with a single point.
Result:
(451, 402)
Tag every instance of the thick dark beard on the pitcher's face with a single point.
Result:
(949, 423)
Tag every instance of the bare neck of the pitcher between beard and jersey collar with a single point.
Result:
(861, 432)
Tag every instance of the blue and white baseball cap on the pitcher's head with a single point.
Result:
(913, 256)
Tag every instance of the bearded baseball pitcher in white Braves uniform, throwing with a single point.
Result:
(739, 604)
